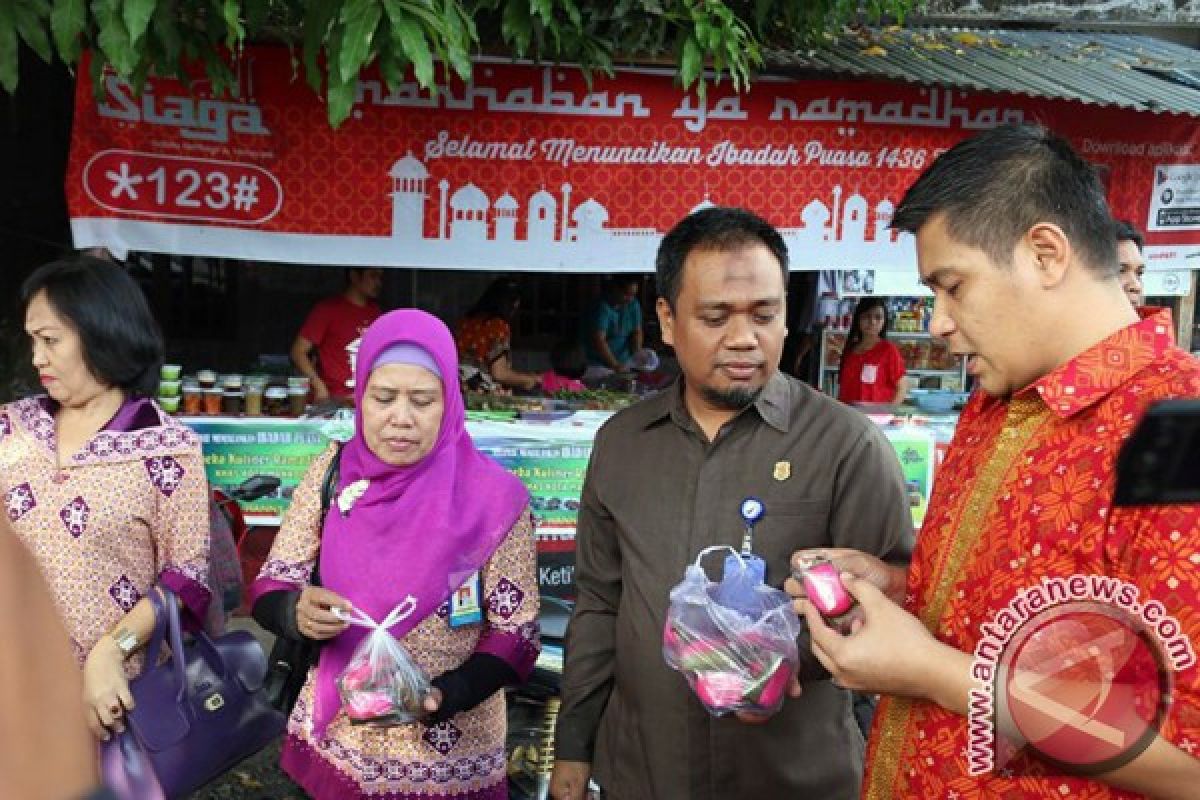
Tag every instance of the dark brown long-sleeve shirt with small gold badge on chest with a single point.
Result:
(657, 494)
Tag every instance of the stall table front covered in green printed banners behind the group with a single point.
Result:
(549, 455)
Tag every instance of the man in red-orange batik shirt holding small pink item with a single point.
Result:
(1031, 603)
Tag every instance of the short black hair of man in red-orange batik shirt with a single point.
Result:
(999, 184)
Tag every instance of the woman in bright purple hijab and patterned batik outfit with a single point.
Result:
(417, 513)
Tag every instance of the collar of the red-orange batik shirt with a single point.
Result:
(1095, 374)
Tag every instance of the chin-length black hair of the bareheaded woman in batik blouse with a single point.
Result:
(122, 341)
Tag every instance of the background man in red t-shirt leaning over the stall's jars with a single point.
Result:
(332, 326)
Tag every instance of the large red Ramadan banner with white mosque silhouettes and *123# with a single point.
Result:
(530, 169)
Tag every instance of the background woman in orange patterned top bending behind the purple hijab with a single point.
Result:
(485, 341)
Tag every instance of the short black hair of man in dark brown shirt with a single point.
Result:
(717, 228)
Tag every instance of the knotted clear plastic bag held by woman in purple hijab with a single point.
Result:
(382, 685)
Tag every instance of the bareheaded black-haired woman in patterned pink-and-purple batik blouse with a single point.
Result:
(106, 491)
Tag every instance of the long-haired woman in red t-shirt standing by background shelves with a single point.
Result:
(872, 368)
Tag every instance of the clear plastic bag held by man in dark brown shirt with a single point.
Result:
(734, 641)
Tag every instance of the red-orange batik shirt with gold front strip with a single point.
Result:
(1024, 495)
